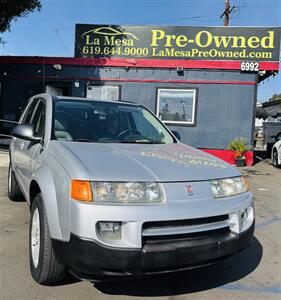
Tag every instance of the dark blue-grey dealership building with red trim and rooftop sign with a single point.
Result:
(208, 101)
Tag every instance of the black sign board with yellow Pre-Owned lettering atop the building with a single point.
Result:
(253, 44)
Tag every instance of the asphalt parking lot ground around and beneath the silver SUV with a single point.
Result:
(255, 273)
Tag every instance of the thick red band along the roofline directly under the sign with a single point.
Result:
(137, 63)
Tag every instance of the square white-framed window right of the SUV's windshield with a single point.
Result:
(176, 106)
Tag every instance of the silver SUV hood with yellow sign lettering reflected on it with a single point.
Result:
(139, 162)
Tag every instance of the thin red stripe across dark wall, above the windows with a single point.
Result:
(132, 80)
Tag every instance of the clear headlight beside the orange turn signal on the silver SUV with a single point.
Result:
(127, 192)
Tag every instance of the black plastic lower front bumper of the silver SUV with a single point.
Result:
(89, 258)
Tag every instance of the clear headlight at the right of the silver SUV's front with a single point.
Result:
(229, 187)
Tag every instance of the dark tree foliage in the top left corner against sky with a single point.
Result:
(10, 10)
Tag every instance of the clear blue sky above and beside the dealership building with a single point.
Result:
(50, 32)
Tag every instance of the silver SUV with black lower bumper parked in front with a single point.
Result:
(113, 192)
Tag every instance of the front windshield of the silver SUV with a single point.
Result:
(102, 122)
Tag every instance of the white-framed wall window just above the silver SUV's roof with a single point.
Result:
(105, 92)
